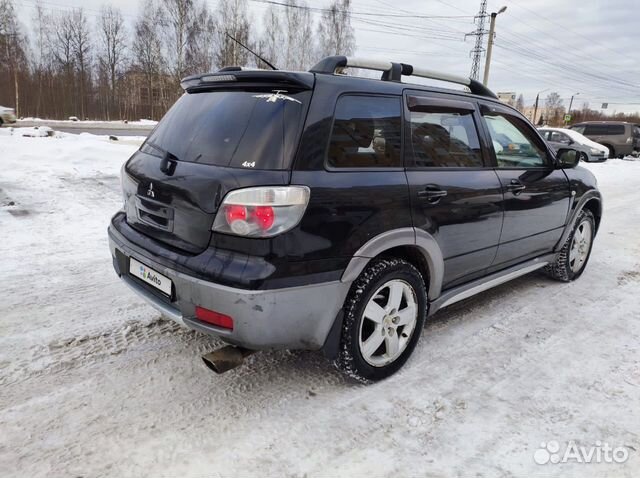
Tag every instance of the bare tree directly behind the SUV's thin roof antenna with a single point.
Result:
(232, 20)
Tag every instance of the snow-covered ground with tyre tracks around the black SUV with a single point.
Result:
(94, 383)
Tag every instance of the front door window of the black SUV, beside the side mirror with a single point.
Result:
(515, 145)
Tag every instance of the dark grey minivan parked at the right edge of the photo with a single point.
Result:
(621, 138)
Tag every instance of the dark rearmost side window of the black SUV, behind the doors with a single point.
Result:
(366, 133)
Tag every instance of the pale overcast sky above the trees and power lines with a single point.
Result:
(569, 46)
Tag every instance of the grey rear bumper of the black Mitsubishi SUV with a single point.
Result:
(290, 318)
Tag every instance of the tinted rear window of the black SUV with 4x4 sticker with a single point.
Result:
(242, 129)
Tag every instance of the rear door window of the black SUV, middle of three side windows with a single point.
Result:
(444, 138)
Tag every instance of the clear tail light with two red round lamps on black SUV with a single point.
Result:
(262, 211)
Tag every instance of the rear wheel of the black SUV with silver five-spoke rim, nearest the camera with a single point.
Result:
(383, 316)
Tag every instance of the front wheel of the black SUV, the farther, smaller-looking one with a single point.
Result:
(575, 253)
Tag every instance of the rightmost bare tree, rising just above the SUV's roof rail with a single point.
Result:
(335, 33)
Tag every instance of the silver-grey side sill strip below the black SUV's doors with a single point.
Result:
(485, 283)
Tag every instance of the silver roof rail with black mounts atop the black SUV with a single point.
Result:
(394, 71)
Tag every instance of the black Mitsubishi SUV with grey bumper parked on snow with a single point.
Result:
(315, 210)
